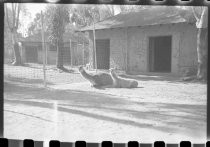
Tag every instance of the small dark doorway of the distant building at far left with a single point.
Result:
(31, 54)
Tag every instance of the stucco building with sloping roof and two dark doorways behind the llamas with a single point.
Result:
(159, 39)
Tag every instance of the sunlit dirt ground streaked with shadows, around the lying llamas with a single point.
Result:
(161, 108)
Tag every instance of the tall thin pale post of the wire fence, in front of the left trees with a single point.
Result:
(44, 51)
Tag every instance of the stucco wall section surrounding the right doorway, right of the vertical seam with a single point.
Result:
(183, 45)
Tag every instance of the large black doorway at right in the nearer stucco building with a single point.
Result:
(160, 54)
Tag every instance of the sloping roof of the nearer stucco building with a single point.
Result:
(150, 16)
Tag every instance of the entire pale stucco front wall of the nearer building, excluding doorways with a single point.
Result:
(136, 39)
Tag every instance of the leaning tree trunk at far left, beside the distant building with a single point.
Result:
(16, 49)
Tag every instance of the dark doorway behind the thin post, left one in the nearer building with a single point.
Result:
(103, 53)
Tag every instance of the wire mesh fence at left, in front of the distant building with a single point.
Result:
(31, 71)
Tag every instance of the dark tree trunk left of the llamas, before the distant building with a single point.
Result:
(59, 63)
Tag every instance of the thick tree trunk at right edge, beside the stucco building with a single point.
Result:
(202, 53)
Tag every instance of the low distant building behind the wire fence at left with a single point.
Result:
(32, 51)
